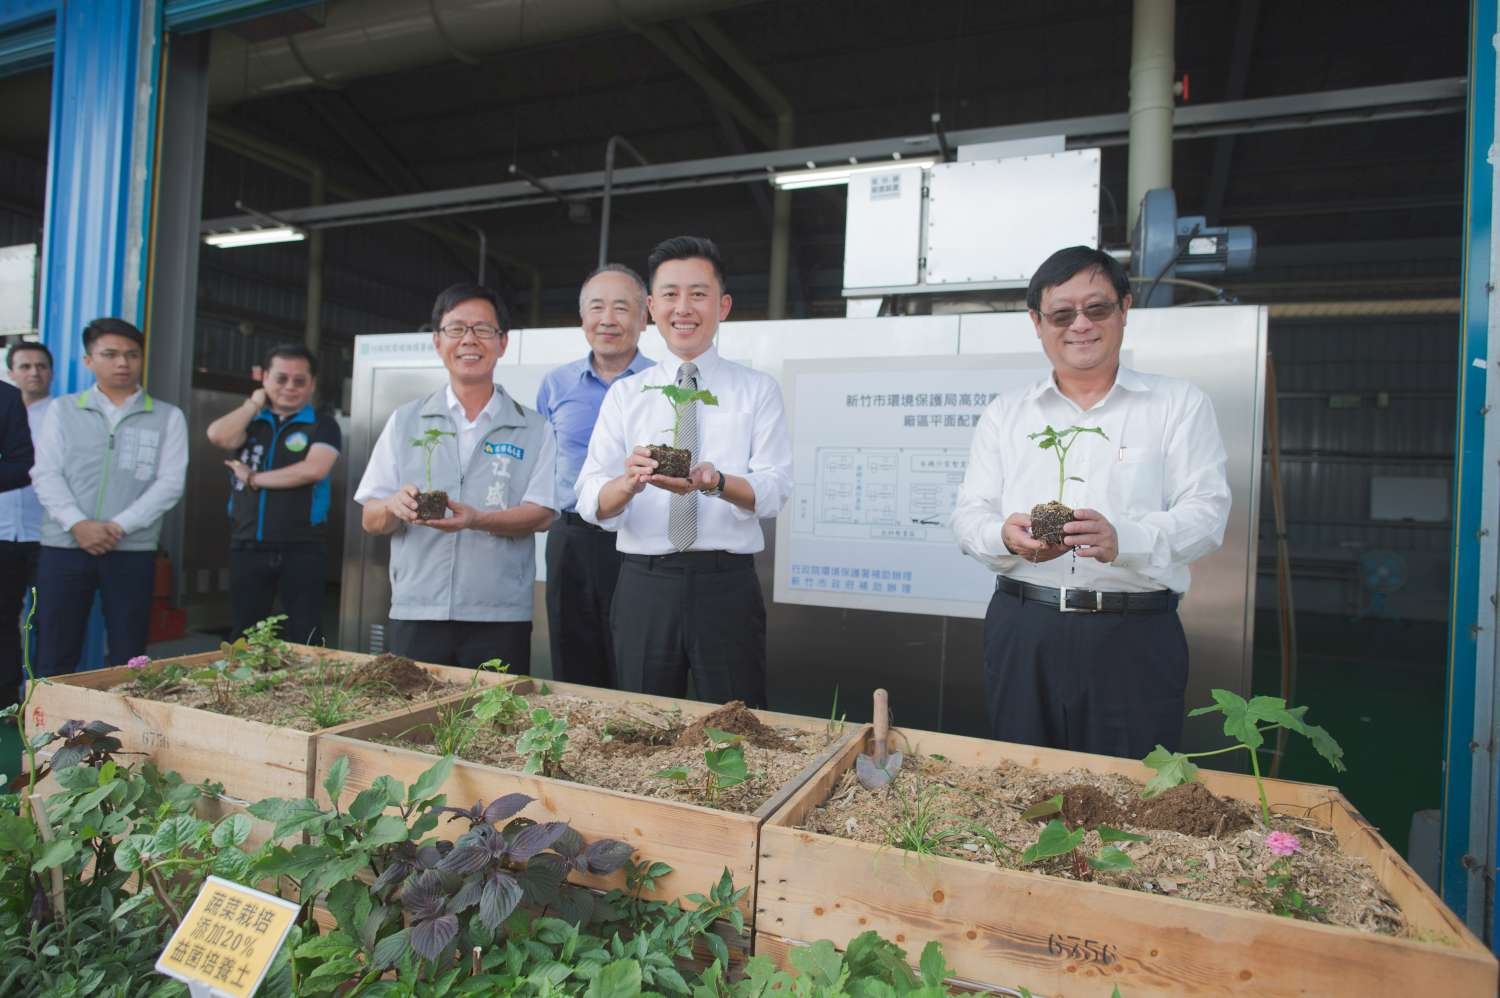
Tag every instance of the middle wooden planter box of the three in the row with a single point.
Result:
(698, 843)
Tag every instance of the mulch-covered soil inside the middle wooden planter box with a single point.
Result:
(625, 747)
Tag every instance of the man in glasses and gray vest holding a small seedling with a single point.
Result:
(461, 585)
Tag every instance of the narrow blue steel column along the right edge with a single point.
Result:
(1469, 793)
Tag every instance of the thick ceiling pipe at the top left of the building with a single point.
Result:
(379, 37)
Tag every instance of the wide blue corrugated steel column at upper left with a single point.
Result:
(106, 71)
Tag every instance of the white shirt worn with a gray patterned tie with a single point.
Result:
(745, 436)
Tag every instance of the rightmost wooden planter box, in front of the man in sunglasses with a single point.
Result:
(1064, 939)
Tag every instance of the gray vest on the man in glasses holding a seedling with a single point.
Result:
(467, 576)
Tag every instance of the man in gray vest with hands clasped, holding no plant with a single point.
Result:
(110, 463)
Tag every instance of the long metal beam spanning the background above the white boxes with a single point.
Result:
(1307, 110)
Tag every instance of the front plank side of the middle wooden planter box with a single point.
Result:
(698, 843)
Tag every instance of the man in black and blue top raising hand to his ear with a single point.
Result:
(280, 487)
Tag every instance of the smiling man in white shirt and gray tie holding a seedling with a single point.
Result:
(689, 601)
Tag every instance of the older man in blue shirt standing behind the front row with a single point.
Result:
(583, 564)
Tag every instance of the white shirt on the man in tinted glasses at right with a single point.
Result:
(1159, 478)
